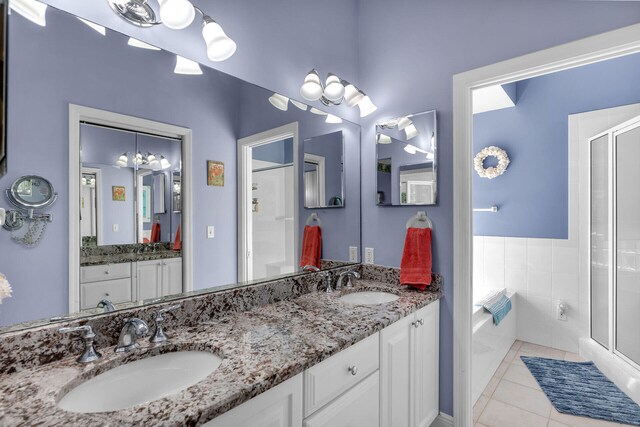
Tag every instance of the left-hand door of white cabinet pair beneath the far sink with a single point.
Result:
(395, 367)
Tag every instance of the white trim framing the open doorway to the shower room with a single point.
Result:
(613, 44)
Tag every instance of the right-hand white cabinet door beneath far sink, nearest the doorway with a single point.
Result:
(426, 367)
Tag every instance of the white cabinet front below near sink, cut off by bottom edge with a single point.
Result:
(279, 407)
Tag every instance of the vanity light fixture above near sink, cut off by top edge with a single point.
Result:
(177, 15)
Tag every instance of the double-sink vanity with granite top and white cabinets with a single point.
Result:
(283, 353)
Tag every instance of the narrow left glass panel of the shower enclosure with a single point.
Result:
(600, 271)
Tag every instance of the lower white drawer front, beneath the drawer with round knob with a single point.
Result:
(358, 407)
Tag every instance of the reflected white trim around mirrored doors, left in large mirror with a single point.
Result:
(78, 114)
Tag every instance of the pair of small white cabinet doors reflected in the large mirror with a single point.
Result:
(158, 278)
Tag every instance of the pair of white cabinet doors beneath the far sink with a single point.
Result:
(409, 369)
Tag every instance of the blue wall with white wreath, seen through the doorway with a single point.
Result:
(533, 192)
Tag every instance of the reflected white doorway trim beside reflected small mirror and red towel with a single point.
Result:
(245, 146)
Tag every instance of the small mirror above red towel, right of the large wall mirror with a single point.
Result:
(406, 156)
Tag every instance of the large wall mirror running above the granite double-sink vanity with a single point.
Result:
(154, 214)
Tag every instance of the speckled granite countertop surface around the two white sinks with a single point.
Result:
(261, 348)
